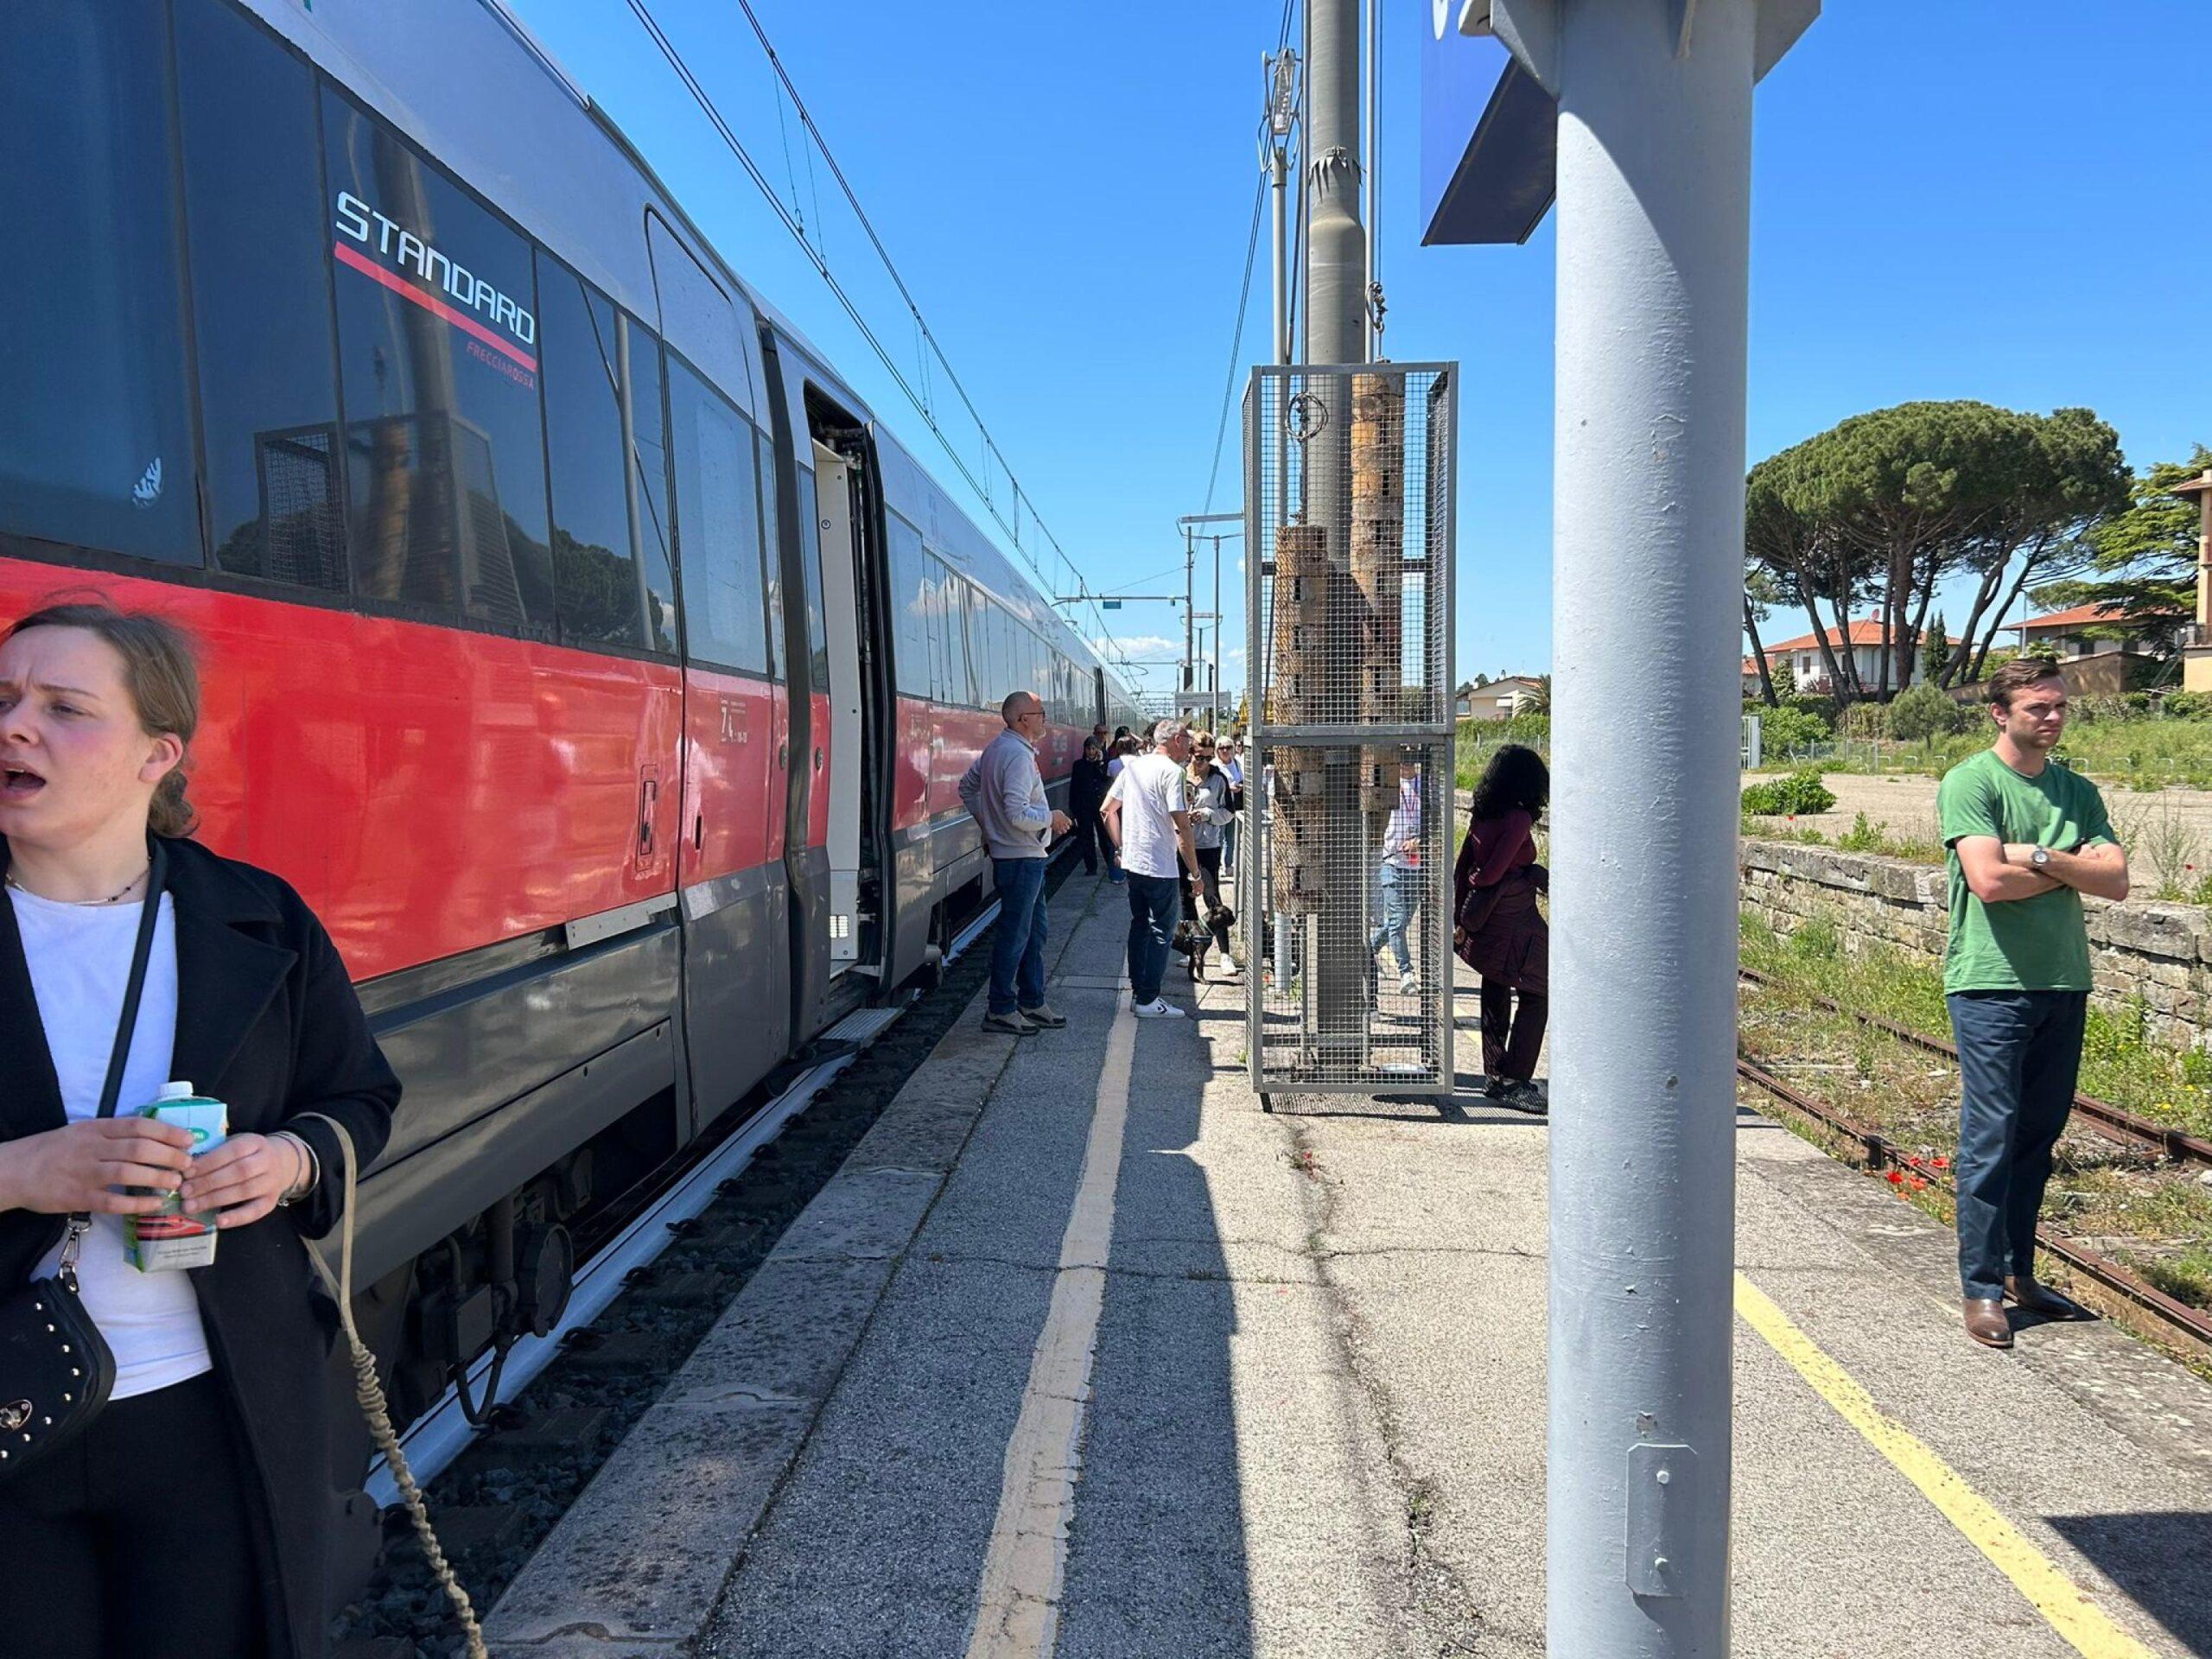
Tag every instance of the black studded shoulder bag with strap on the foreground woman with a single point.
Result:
(56, 1368)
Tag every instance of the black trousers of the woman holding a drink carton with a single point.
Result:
(138, 1538)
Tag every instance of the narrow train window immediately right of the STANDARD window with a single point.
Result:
(594, 563)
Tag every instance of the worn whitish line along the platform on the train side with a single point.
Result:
(1019, 1605)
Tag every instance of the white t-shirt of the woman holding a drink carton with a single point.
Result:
(81, 963)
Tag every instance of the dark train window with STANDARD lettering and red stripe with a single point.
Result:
(439, 377)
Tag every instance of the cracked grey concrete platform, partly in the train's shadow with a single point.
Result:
(1087, 1355)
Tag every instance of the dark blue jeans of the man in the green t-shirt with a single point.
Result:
(2018, 1056)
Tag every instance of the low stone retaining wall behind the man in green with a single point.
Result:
(2151, 957)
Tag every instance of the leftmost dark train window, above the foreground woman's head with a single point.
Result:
(96, 428)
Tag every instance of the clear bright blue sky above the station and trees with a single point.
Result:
(1961, 200)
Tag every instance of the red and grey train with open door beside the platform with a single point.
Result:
(578, 643)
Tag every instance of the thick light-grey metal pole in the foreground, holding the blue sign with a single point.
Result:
(1653, 176)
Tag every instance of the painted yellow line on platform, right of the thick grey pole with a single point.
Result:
(2065, 1605)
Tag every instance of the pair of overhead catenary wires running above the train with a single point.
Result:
(924, 404)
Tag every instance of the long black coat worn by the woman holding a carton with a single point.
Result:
(269, 1023)
